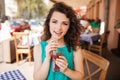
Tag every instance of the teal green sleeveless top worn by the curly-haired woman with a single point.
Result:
(69, 56)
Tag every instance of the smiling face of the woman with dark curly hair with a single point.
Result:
(59, 25)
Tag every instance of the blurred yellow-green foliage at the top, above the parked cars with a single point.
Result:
(32, 8)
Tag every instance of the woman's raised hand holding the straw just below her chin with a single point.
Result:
(52, 46)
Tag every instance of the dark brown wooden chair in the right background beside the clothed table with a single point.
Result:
(98, 45)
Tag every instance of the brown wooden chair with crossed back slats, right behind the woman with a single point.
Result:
(96, 66)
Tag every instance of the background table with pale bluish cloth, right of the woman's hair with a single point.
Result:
(90, 37)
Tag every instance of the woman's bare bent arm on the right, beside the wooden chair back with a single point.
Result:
(78, 74)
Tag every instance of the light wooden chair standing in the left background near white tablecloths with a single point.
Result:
(22, 45)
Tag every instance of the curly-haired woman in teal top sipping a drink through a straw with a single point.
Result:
(61, 25)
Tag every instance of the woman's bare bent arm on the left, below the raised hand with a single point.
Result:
(40, 69)
